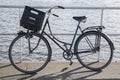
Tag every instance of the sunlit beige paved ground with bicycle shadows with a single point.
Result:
(61, 71)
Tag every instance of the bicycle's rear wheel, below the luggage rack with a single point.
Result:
(94, 50)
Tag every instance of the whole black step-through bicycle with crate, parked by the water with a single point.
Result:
(93, 49)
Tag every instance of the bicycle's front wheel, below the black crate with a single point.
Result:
(24, 60)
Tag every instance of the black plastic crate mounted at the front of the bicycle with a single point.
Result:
(32, 19)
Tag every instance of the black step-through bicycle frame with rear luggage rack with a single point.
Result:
(55, 40)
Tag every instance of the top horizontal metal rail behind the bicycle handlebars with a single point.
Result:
(67, 7)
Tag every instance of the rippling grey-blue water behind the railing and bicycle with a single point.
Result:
(9, 21)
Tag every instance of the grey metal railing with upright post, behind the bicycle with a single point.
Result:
(102, 9)
